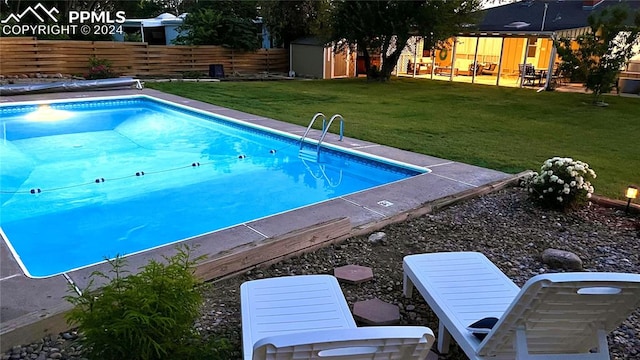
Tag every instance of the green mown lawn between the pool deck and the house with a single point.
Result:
(507, 129)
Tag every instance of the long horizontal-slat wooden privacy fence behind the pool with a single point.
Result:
(23, 55)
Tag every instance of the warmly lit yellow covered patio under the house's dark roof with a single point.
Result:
(511, 59)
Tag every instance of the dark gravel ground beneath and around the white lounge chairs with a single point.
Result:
(505, 226)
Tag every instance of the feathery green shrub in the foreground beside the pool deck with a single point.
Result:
(148, 315)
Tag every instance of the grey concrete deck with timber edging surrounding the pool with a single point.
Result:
(32, 308)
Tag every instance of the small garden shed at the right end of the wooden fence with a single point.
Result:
(309, 57)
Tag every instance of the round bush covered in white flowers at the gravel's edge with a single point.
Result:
(562, 183)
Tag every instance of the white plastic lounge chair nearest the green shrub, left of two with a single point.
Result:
(307, 317)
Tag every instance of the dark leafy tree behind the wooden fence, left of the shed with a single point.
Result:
(225, 23)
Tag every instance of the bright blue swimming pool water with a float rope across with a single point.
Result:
(85, 180)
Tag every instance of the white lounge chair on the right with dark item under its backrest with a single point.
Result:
(554, 316)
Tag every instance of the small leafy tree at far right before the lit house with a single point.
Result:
(603, 52)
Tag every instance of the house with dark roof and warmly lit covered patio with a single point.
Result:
(509, 41)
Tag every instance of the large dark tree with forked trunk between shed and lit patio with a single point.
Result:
(386, 26)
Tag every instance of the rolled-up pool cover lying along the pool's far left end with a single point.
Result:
(75, 85)
